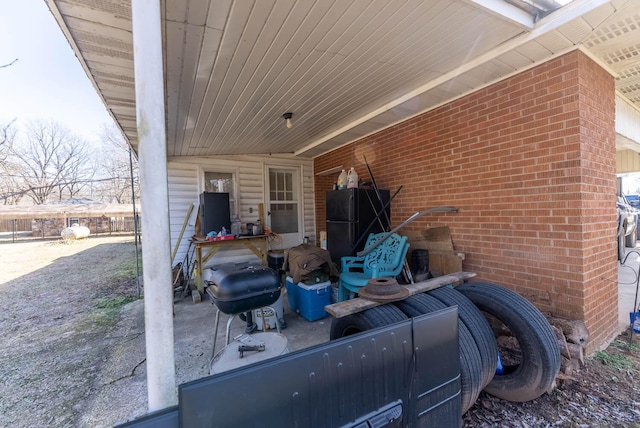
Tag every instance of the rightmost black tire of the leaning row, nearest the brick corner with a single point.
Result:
(540, 354)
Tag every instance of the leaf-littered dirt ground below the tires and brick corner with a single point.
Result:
(605, 392)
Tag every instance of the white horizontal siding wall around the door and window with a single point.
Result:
(186, 184)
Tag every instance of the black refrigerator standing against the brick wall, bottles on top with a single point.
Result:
(351, 217)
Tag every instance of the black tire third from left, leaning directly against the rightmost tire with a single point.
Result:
(477, 324)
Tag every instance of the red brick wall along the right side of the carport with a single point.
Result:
(530, 163)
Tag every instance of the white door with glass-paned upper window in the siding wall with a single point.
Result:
(284, 209)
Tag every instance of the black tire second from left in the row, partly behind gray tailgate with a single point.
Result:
(471, 378)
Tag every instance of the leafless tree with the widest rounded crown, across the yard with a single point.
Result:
(52, 159)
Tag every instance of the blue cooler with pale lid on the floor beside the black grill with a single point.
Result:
(309, 300)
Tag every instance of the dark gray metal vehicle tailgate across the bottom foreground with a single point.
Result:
(337, 383)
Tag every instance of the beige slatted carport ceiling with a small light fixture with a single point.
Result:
(345, 69)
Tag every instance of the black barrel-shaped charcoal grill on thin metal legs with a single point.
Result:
(236, 290)
